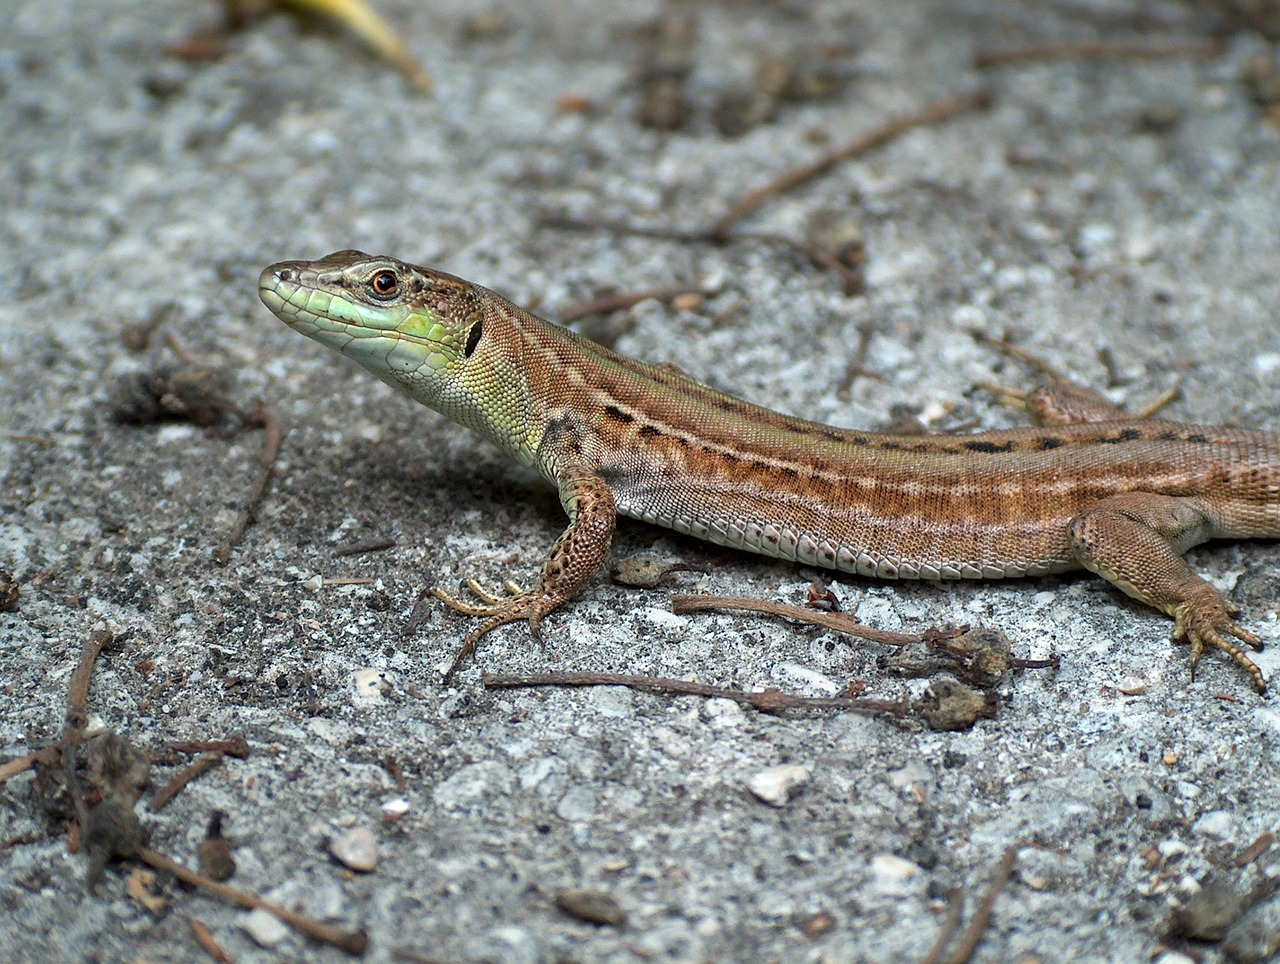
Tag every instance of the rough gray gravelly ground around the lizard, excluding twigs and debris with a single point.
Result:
(1123, 205)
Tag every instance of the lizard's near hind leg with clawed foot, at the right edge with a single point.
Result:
(1136, 541)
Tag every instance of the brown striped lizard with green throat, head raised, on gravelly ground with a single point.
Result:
(1089, 487)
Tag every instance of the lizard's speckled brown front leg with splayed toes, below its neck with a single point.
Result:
(575, 558)
